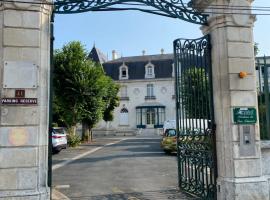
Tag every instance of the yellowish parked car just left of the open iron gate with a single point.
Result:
(169, 141)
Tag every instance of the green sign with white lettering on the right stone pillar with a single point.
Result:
(244, 115)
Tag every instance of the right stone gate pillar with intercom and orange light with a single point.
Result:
(238, 155)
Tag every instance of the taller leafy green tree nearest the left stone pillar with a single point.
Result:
(68, 63)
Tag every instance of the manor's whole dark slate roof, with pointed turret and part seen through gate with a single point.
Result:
(136, 64)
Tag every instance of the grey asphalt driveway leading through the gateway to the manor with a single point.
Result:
(133, 169)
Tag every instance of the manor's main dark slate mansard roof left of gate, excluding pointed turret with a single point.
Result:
(136, 66)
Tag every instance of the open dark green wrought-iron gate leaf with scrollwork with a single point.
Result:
(195, 117)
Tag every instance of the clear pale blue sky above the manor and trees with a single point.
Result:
(130, 32)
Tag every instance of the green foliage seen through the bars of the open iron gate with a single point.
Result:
(195, 92)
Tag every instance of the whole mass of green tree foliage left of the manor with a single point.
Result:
(83, 93)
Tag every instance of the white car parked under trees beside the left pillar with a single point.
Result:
(59, 139)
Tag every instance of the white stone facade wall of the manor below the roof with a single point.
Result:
(163, 91)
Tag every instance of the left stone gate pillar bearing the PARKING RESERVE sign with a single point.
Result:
(24, 90)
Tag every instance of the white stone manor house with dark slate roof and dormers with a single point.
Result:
(147, 96)
